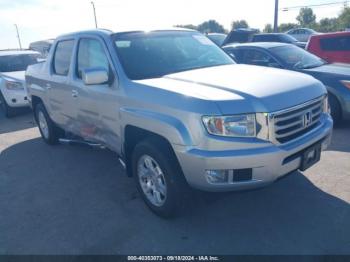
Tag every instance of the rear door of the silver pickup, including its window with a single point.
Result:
(62, 104)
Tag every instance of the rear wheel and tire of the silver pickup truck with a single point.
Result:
(48, 130)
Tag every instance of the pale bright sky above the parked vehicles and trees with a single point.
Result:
(42, 19)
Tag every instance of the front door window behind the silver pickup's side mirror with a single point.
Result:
(90, 54)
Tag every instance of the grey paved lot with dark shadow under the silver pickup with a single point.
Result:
(77, 200)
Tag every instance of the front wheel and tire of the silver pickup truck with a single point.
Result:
(171, 178)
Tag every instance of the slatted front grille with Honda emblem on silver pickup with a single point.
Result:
(291, 123)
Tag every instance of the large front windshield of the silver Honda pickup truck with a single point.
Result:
(150, 55)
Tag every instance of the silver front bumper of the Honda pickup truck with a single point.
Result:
(268, 163)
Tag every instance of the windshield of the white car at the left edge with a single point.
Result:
(12, 63)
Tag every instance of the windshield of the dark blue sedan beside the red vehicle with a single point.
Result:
(296, 58)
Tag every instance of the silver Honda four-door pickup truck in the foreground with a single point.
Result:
(178, 111)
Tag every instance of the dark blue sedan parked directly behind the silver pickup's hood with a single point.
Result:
(336, 77)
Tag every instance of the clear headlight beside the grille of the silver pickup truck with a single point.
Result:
(231, 126)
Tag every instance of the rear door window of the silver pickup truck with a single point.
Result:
(62, 57)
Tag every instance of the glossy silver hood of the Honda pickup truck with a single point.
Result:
(242, 88)
